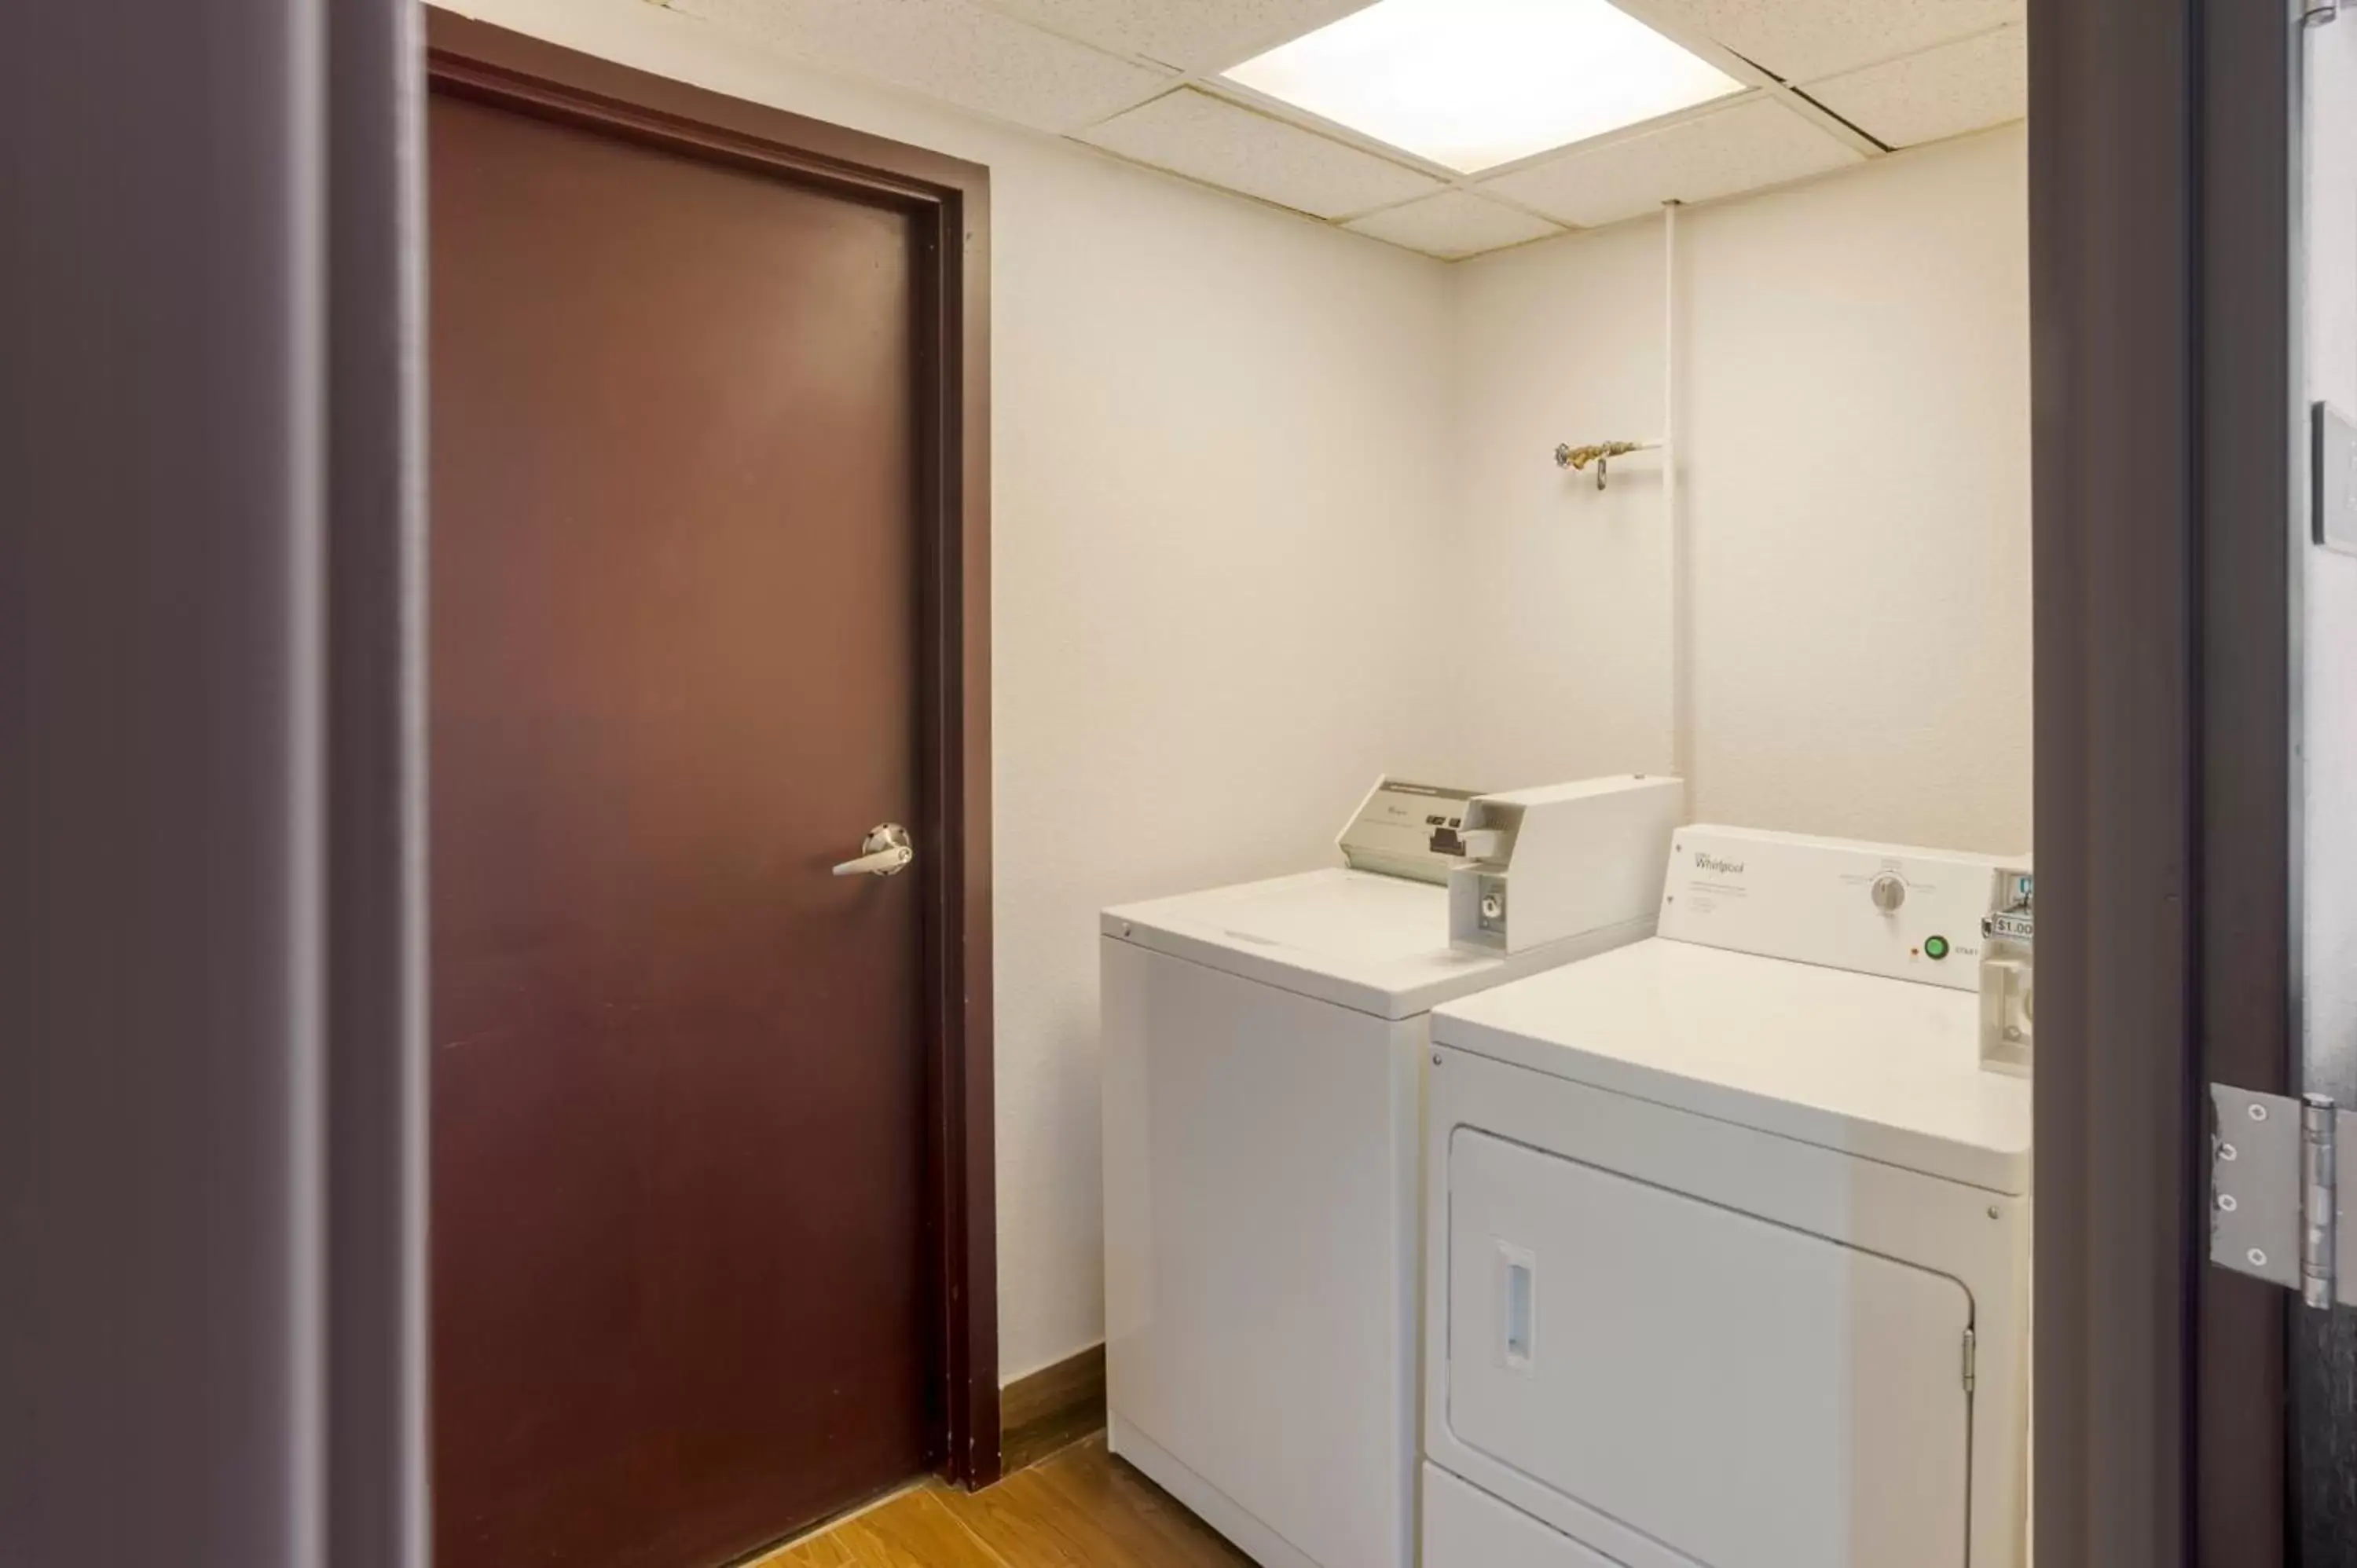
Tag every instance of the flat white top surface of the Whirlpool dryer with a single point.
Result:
(1863, 1065)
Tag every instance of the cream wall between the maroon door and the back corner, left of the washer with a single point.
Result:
(1220, 442)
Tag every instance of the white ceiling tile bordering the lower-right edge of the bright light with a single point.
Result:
(1755, 145)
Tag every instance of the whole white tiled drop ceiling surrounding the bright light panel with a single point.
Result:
(1140, 79)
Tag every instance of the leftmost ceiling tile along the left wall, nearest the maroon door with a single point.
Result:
(953, 51)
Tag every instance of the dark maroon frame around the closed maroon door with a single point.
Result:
(951, 209)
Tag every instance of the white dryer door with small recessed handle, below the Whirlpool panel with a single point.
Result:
(1745, 1395)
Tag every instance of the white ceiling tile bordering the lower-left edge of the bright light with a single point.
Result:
(1191, 133)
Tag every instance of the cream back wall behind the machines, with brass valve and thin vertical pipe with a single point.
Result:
(1854, 480)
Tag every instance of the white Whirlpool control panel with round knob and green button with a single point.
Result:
(1873, 909)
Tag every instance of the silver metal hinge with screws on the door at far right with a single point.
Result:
(2276, 1194)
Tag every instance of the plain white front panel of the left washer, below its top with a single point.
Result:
(1262, 1159)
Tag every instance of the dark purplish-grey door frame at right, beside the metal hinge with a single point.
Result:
(2167, 503)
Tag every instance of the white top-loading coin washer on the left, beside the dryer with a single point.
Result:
(1262, 1093)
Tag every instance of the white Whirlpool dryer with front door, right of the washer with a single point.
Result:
(1729, 1234)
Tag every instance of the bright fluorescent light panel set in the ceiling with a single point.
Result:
(1474, 84)
